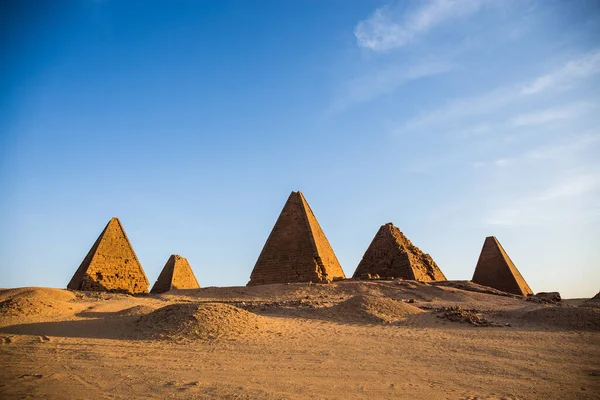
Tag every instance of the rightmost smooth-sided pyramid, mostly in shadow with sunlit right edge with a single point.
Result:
(495, 269)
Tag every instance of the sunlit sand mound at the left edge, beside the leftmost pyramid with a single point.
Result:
(34, 301)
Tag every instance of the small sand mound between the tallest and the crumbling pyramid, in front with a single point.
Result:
(373, 309)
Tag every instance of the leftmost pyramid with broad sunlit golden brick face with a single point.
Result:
(111, 264)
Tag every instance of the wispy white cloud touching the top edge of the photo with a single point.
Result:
(387, 28)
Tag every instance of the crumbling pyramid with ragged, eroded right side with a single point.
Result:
(392, 255)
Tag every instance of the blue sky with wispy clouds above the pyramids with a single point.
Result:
(193, 120)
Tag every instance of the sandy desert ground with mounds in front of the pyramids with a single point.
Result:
(347, 340)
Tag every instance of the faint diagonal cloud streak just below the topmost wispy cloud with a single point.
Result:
(369, 87)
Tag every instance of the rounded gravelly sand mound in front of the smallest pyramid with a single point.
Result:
(198, 321)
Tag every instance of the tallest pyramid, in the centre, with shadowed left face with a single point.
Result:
(297, 249)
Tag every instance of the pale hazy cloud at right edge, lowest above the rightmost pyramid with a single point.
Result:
(566, 200)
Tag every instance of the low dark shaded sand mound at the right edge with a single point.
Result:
(575, 318)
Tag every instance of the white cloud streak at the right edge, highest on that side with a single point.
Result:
(563, 78)
